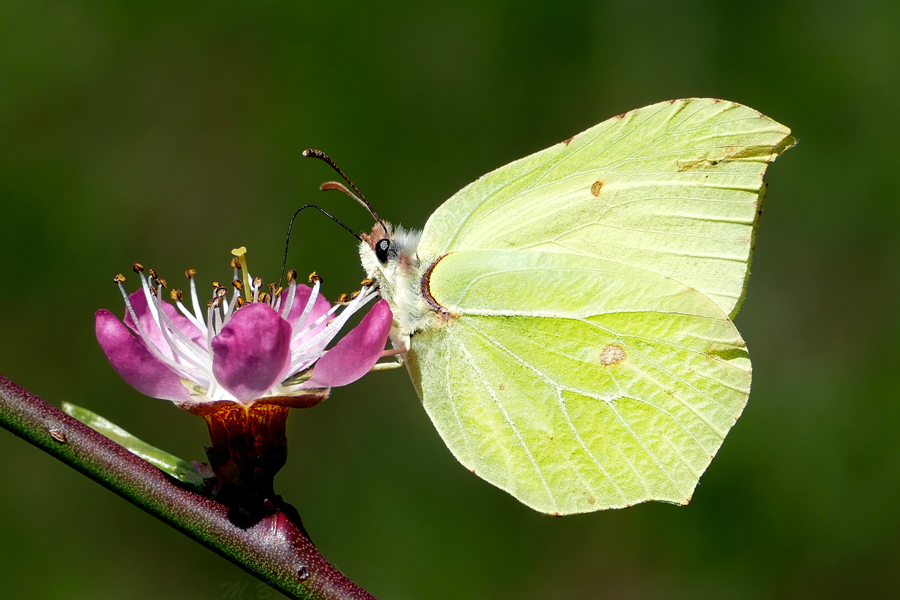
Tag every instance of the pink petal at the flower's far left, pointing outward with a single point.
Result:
(134, 363)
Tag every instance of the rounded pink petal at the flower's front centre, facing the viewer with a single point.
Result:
(252, 353)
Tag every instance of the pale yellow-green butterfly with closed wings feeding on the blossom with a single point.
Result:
(566, 318)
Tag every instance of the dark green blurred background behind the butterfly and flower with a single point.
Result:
(170, 132)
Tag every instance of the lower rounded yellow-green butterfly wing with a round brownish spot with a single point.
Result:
(576, 383)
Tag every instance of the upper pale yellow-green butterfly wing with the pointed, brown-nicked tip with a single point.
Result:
(673, 187)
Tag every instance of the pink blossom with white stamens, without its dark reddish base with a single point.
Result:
(257, 346)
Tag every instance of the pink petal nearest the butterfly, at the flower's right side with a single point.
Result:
(356, 353)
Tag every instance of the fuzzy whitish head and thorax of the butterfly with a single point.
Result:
(399, 278)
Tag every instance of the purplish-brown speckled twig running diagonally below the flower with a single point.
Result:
(275, 549)
